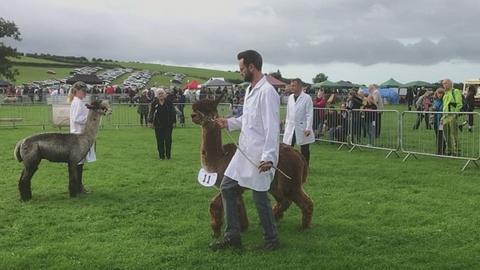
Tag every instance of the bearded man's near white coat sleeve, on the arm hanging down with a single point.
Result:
(270, 110)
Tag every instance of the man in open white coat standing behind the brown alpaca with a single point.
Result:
(299, 120)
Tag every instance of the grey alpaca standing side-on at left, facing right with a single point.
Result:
(58, 147)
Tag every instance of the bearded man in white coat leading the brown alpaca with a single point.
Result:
(252, 165)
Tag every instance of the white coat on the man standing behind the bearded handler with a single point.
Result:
(299, 119)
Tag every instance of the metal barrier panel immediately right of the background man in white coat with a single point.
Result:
(331, 125)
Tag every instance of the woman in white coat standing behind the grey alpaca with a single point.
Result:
(78, 119)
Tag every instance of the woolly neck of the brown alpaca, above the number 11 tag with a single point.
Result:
(212, 148)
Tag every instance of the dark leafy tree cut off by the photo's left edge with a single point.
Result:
(8, 29)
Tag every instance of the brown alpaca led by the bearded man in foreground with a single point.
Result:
(216, 157)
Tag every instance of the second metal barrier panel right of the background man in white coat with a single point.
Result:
(375, 129)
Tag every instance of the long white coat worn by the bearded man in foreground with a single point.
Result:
(259, 137)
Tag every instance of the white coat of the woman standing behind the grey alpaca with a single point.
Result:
(78, 119)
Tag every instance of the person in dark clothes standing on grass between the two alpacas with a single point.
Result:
(162, 118)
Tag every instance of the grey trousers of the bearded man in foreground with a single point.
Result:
(229, 188)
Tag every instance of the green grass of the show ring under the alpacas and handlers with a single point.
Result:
(144, 213)
